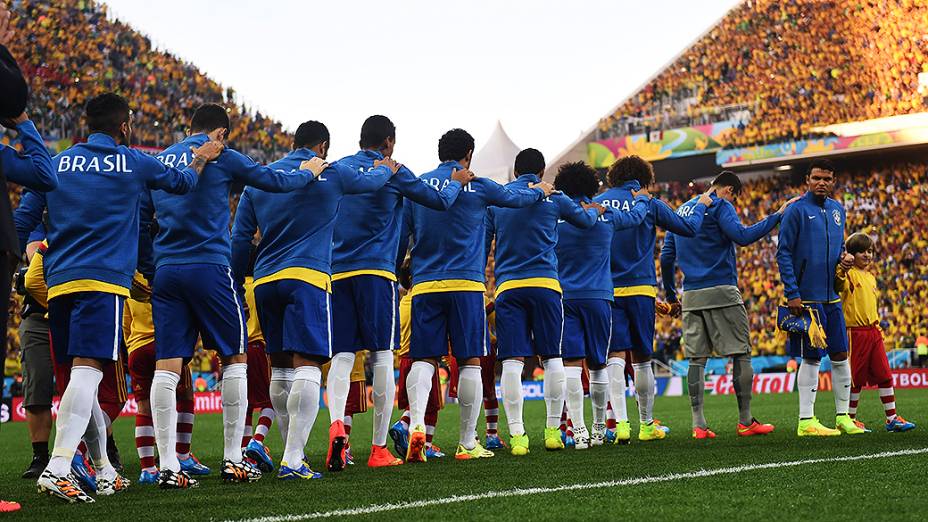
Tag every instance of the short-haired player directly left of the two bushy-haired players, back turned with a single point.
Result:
(529, 312)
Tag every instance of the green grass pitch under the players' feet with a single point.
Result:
(886, 487)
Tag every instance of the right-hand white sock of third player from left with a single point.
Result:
(303, 406)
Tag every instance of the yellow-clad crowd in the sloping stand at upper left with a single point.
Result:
(70, 50)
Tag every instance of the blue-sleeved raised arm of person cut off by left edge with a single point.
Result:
(33, 168)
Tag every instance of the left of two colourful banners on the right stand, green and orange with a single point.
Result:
(673, 143)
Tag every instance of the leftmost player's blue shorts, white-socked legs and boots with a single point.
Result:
(88, 325)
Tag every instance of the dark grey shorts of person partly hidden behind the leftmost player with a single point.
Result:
(38, 372)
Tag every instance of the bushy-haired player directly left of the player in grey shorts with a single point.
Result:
(634, 289)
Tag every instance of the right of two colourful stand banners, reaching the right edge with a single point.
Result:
(828, 145)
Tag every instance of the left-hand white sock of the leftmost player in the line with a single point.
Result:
(74, 412)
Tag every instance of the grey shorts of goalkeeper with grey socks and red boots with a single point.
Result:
(720, 331)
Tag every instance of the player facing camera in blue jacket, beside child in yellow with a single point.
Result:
(808, 255)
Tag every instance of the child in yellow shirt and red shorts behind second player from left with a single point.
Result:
(139, 334)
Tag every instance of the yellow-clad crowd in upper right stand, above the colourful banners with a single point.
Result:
(782, 68)
